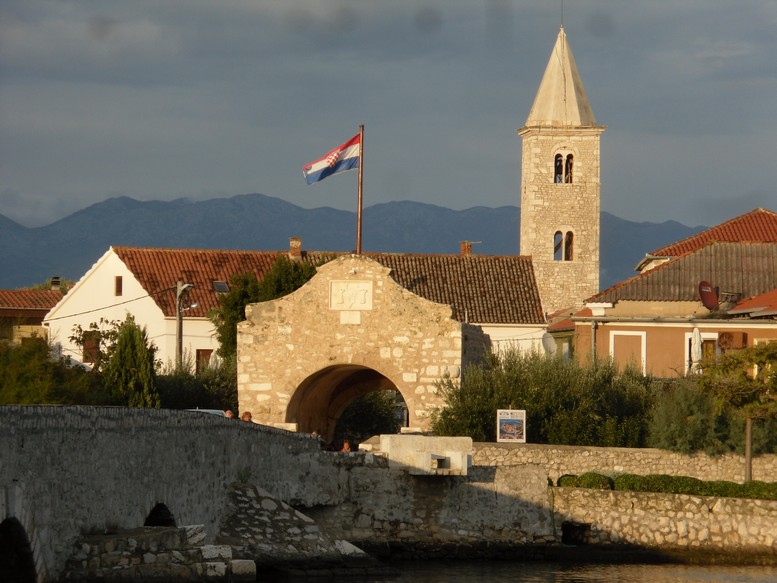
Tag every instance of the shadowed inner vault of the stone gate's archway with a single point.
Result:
(321, 398)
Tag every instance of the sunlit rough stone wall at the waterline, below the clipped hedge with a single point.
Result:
(722, 525)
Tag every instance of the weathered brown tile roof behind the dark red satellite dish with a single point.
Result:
(740, 268)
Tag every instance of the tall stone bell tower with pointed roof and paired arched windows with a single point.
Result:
(560, 187)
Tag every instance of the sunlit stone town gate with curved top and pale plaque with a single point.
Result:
(350, 330)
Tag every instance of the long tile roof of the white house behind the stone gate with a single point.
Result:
(480, 288)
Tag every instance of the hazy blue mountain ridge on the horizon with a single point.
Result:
(70, 246)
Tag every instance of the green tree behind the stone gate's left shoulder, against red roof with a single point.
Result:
(284, 277)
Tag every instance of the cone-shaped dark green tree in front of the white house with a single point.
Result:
(130, 372)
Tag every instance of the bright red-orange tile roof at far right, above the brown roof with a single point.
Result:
(757, 226)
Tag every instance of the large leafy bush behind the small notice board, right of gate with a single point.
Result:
(566, 403)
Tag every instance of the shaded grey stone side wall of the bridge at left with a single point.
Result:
(66, 471)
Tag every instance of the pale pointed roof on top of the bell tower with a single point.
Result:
(561, 100)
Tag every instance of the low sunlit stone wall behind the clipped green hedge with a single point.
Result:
(564, 459)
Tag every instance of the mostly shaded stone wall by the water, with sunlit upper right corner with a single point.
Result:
(500, 505)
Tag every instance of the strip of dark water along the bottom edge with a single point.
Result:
(542, 572)
